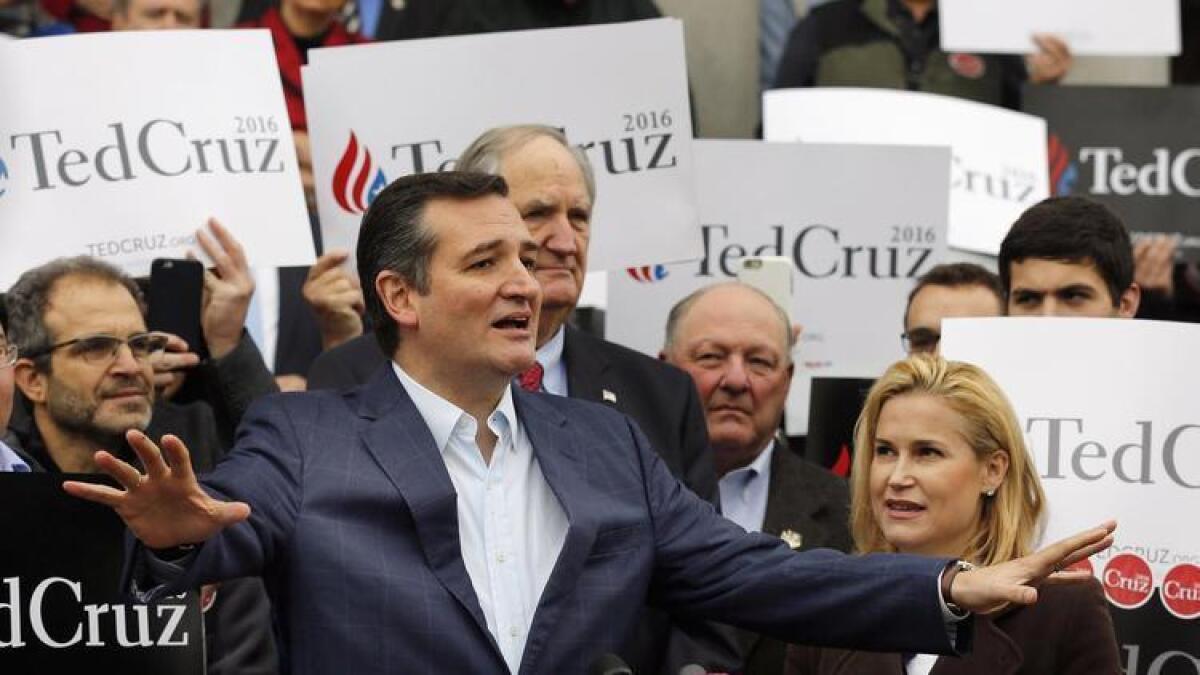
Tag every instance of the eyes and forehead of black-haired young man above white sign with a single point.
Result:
(1045, 288)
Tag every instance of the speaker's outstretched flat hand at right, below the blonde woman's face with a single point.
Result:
(991, 589)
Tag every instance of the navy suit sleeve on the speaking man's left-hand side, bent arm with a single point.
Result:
(266, 471)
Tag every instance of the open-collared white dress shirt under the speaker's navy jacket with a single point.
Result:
(512, 527)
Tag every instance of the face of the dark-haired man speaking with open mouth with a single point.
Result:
(481, 313)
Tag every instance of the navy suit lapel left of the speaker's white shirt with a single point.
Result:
(397, 437)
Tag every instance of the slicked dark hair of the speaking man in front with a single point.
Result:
(394, 237)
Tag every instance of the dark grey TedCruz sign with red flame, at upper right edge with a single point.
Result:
(1135, 150)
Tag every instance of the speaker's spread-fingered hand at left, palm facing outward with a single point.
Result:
(165, 507)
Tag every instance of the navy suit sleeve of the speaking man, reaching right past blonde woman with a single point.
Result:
(709, 566)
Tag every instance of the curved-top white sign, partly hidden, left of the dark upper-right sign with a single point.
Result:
(1000, 157)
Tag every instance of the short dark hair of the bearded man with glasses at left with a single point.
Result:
(31, 296)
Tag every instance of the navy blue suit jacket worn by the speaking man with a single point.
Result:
(355, 529)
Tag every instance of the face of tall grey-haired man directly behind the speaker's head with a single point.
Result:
(549, 190)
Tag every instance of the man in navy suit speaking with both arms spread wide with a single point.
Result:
(440, 519)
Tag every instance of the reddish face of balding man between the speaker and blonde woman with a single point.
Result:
(735, 348)
